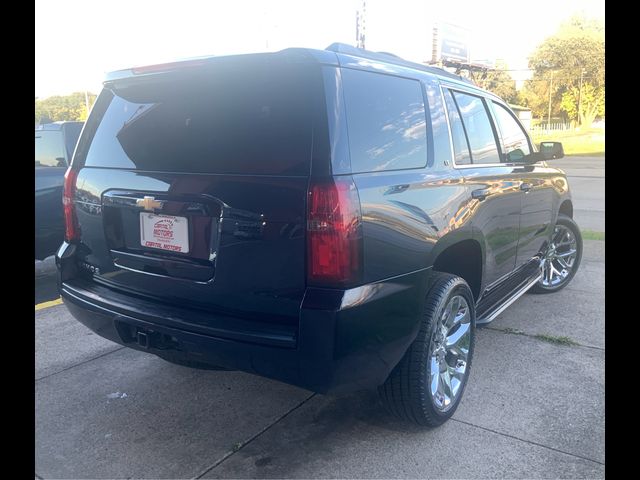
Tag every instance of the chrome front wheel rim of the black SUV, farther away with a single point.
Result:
(558, 262)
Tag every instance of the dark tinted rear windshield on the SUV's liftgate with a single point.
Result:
(235, 120)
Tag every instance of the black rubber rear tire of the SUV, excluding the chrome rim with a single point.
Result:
(406, 392)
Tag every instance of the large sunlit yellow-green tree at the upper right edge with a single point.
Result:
(574, 58)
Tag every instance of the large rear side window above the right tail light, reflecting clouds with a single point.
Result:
(386, 121)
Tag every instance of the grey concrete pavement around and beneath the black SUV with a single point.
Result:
(533, 408)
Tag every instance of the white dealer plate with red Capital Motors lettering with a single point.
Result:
(164, 232)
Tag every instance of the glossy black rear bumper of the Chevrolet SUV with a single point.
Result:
(347, 339)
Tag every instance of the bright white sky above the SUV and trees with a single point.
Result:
(78, 41)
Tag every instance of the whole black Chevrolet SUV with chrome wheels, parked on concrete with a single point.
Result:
(336, 219)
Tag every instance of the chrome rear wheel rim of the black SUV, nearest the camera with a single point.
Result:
(449, 352)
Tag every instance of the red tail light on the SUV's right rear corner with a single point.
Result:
(334, 233)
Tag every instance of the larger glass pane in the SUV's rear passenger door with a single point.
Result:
(478, 128)
